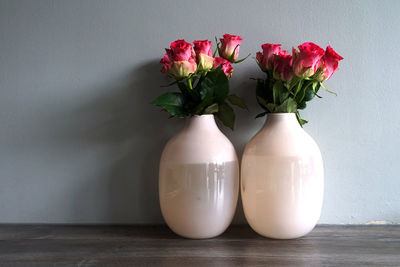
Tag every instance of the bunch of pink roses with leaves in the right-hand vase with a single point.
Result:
(293, 80)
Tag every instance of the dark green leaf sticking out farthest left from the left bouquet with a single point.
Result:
(171, 102)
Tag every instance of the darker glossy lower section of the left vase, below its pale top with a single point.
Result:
(198, 197)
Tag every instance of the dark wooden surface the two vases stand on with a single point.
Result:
(43, 245)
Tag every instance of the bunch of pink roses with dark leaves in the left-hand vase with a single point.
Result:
(202, 78)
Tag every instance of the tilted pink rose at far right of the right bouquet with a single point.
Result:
(329, 64)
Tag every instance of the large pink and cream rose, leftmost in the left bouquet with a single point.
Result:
(180, 60)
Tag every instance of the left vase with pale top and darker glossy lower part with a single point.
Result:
(199, 180)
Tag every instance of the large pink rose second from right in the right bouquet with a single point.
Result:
(306, 62)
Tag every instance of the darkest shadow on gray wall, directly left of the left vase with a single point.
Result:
(138, 132)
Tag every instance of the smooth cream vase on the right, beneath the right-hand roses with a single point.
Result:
(282, 179)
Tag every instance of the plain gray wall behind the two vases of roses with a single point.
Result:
(80, 143)
